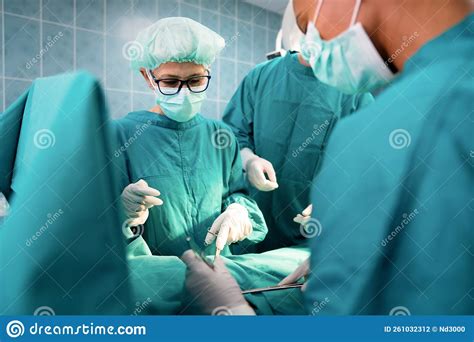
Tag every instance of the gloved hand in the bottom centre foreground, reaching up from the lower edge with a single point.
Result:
(212, 291)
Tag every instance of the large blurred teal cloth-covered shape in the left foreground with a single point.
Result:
(60, 245)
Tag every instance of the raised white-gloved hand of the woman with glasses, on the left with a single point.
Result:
(137, 198)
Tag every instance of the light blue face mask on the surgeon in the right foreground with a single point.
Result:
(349, 62)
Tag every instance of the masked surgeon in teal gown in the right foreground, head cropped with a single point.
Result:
(395, 192)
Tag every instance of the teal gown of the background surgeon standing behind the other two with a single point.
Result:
(284, 114)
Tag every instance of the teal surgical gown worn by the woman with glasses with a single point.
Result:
(197, 168)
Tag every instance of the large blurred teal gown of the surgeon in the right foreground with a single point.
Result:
(395, 194)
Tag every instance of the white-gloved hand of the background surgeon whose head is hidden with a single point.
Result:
(256, 169)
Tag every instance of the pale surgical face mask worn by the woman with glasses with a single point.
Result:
(180, 107)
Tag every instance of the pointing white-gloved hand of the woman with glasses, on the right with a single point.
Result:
(231, 226)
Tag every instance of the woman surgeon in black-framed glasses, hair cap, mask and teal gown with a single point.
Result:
(184, 177)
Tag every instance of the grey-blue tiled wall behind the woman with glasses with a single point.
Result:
(45, 37)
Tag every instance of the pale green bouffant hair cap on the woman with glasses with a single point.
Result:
(175, 39)
